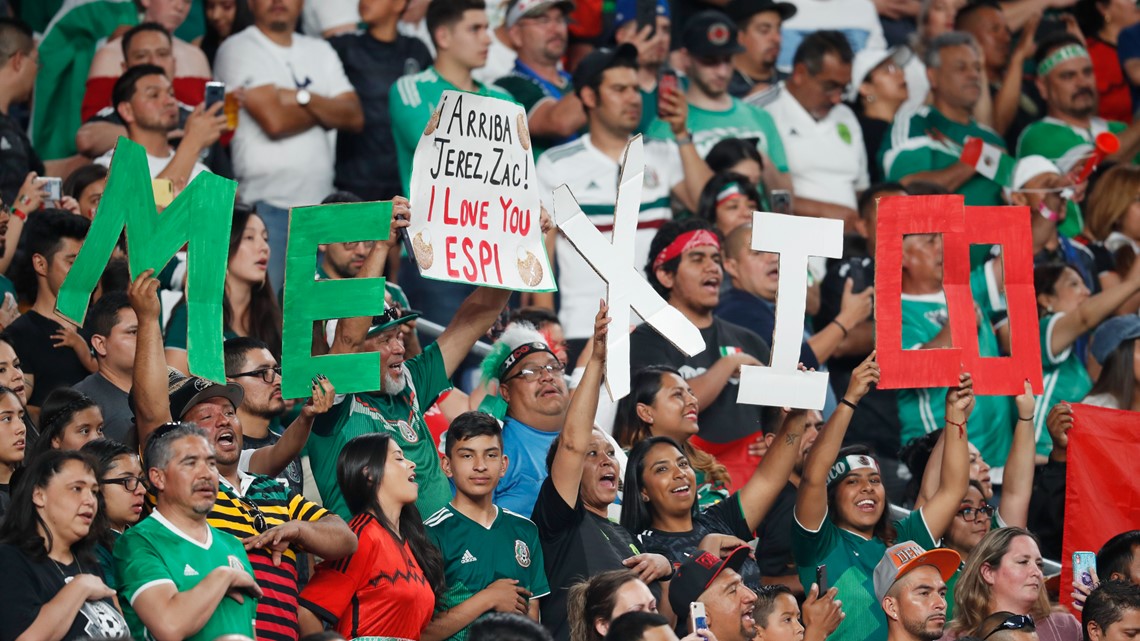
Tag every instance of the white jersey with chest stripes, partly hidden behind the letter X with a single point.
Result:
(593, 180)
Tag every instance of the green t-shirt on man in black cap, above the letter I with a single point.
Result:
(742, 120)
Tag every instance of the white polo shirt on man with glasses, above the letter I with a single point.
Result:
(827, 159)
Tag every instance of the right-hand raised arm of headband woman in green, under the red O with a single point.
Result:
(940, 510)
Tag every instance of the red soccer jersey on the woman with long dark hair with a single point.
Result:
(379, 591)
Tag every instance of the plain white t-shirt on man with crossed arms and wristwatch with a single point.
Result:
(297, 171)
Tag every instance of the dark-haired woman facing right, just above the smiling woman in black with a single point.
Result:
(661, 403)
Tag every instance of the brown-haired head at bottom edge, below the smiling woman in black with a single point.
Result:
(604, 597)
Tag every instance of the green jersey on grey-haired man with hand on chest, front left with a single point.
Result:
(154, 553)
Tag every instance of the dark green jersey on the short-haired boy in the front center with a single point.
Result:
(475, 557)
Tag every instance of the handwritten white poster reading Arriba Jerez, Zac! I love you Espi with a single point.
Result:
(475, 200)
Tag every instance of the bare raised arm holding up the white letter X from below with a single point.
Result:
(566, 470)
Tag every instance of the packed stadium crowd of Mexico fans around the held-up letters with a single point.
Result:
(487, 489)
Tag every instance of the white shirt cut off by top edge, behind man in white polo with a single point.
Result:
(857, 19)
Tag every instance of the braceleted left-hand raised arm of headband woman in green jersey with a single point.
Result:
(812, 498)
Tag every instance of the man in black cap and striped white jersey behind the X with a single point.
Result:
(591, 167)
